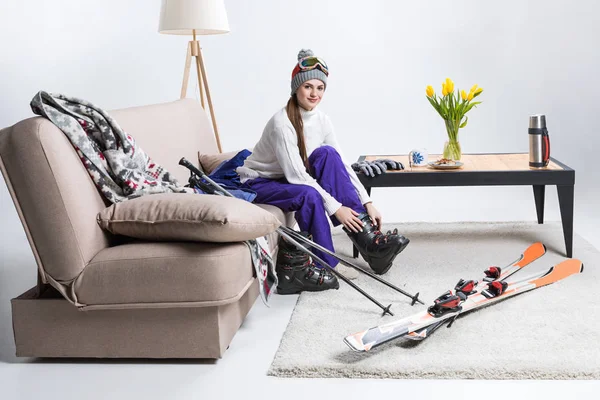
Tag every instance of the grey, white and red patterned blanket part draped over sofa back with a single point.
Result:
(119, 168)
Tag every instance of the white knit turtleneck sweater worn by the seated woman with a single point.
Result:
(276, 154)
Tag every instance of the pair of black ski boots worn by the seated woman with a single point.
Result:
(296, 272)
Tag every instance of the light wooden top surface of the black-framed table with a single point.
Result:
(474, 163)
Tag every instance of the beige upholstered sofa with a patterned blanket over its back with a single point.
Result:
(99, 295)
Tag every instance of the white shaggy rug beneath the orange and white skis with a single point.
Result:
(549, 333)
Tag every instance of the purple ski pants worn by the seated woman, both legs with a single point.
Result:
(327, 168)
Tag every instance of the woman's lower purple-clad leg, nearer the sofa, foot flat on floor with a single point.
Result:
(305, 201)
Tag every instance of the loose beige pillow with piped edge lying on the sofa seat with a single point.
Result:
(188, 217)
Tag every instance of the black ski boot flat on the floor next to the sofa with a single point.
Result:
(296, 272)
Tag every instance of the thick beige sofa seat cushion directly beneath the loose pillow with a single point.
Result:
(165, 272)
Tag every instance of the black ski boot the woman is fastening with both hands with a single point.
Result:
(378, 249)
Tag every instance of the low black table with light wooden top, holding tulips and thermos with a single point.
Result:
(488, 170)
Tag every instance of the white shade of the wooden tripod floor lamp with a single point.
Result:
(180, 17)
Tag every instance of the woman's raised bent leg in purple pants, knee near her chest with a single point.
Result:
(327, 167)
